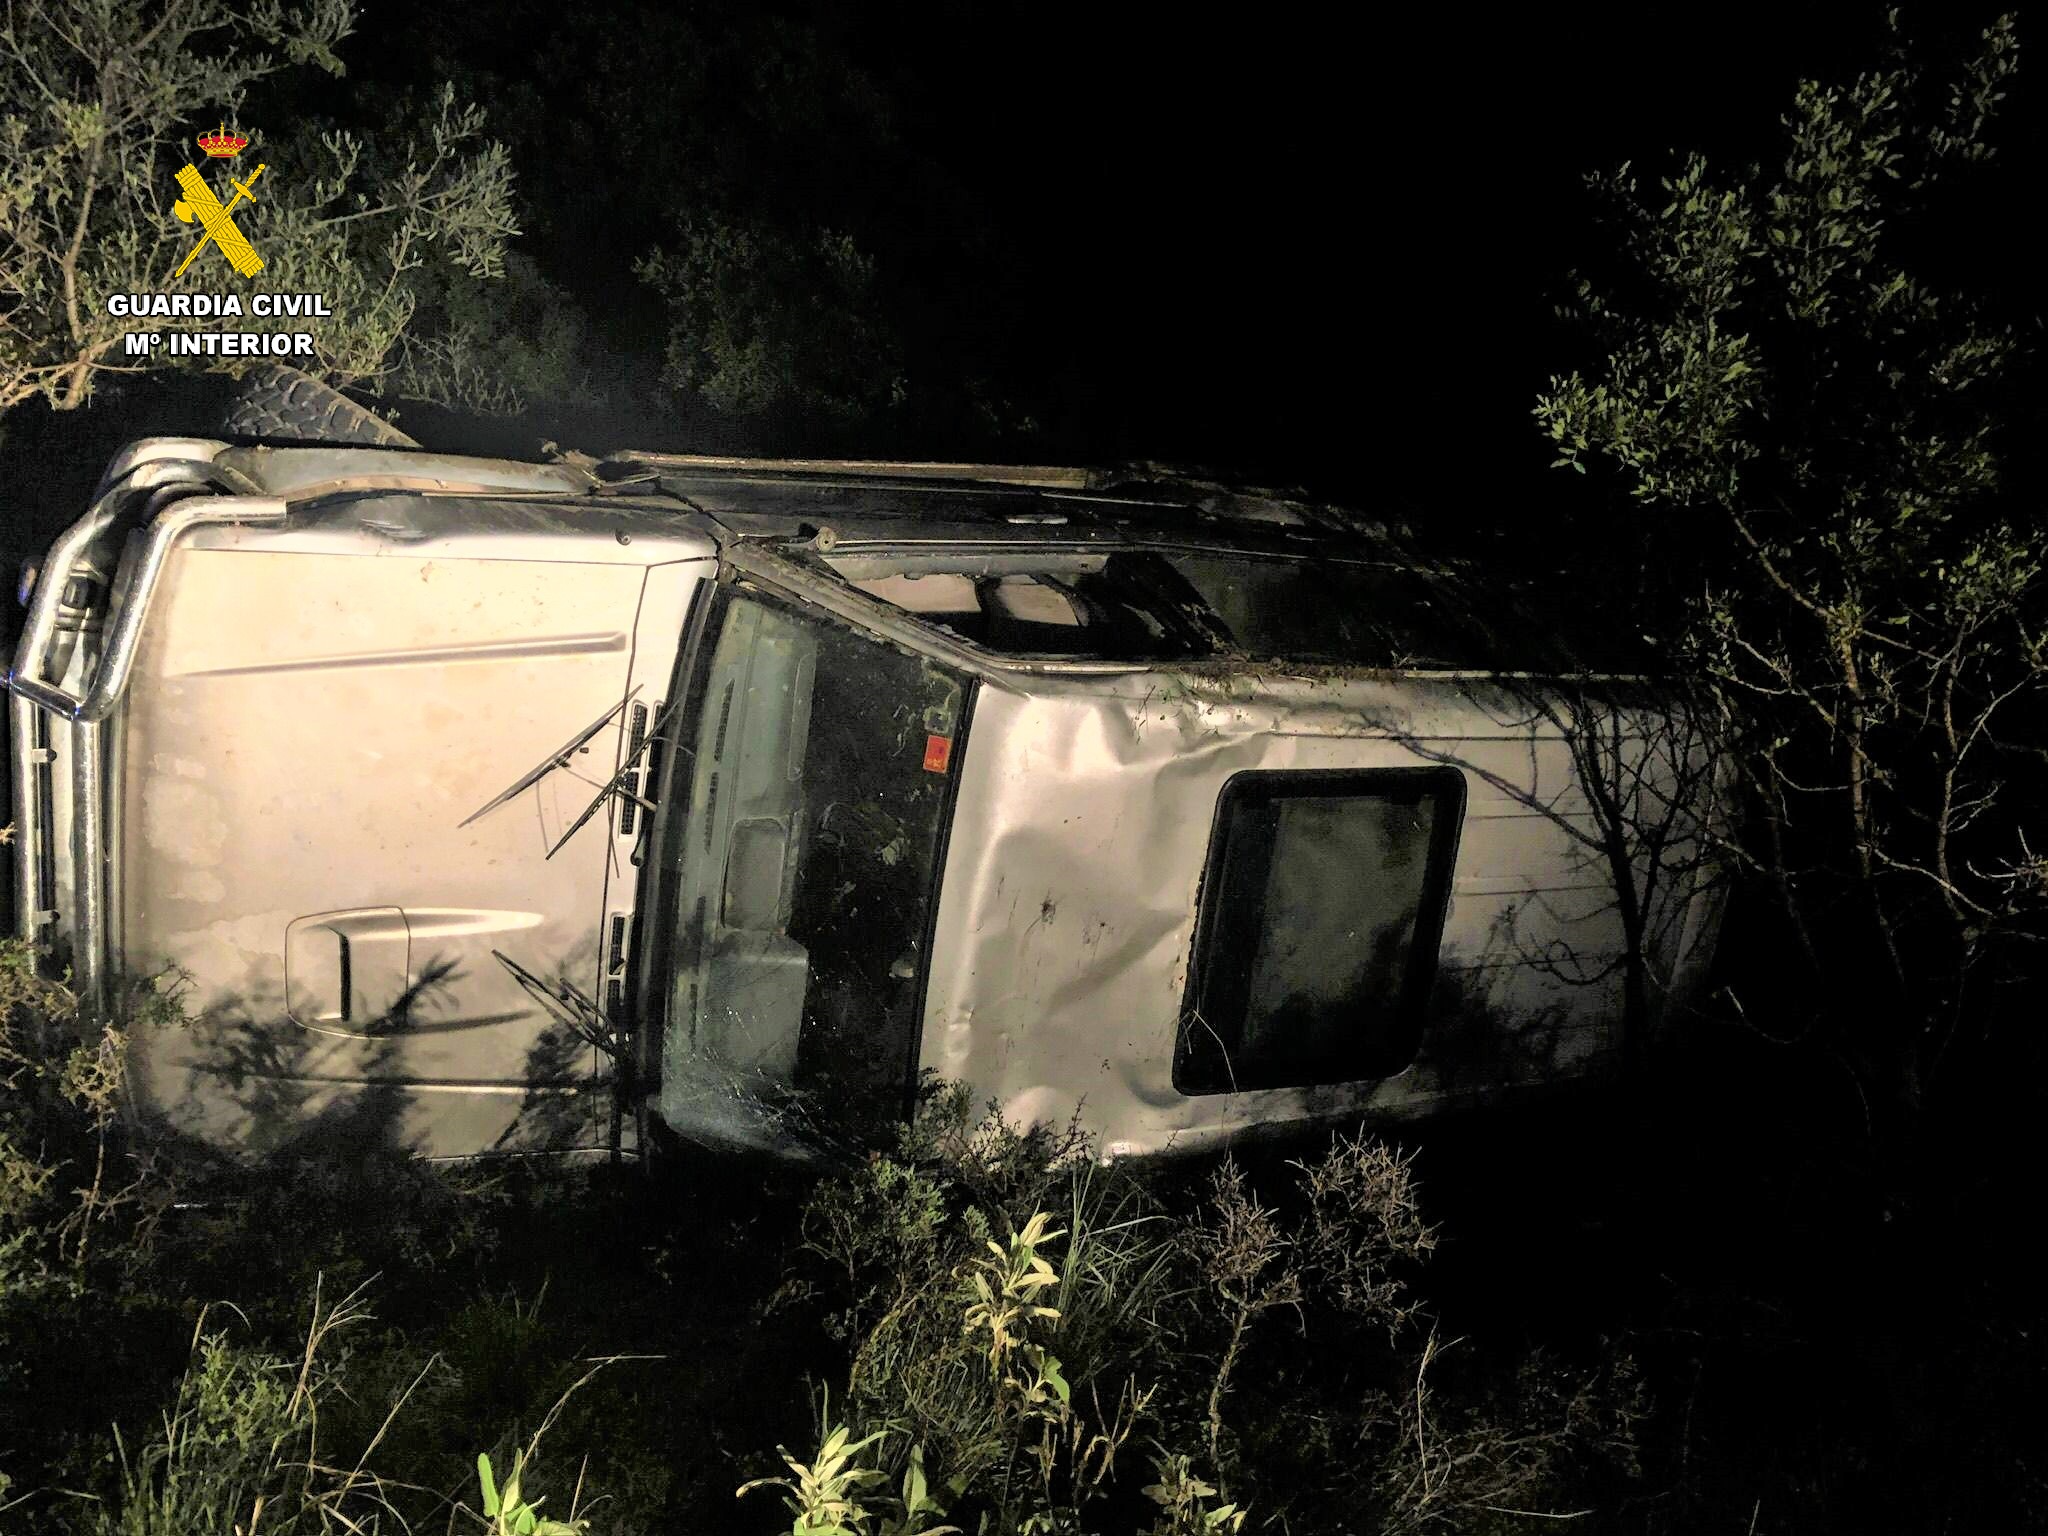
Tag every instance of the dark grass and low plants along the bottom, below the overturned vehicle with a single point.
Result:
(1631, 1322)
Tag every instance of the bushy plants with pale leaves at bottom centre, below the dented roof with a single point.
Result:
(1017, 1318)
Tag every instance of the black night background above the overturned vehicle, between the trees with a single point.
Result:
(1312, 251)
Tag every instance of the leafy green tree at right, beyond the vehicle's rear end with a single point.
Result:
(1811, 427)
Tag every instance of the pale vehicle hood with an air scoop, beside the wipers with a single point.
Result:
(296, 785)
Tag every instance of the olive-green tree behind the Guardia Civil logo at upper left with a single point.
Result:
(99, 103)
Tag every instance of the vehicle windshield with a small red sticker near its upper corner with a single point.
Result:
(806, 869)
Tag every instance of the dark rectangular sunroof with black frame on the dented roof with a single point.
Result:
(1322, 912)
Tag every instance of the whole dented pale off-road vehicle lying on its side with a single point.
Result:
(503, 808)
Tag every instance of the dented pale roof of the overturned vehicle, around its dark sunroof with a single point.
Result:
(1080, 849)
